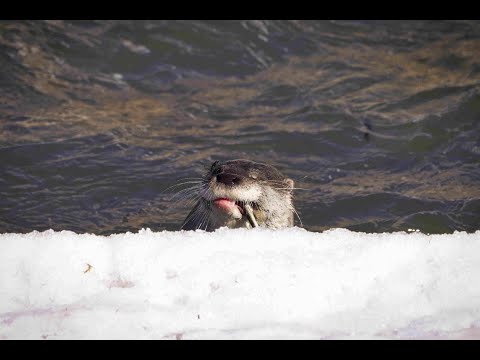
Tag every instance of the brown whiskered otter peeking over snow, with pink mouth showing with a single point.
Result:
(242, 194)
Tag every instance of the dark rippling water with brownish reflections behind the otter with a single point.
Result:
(379, 121)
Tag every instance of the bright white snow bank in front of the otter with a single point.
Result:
(239, 284)
